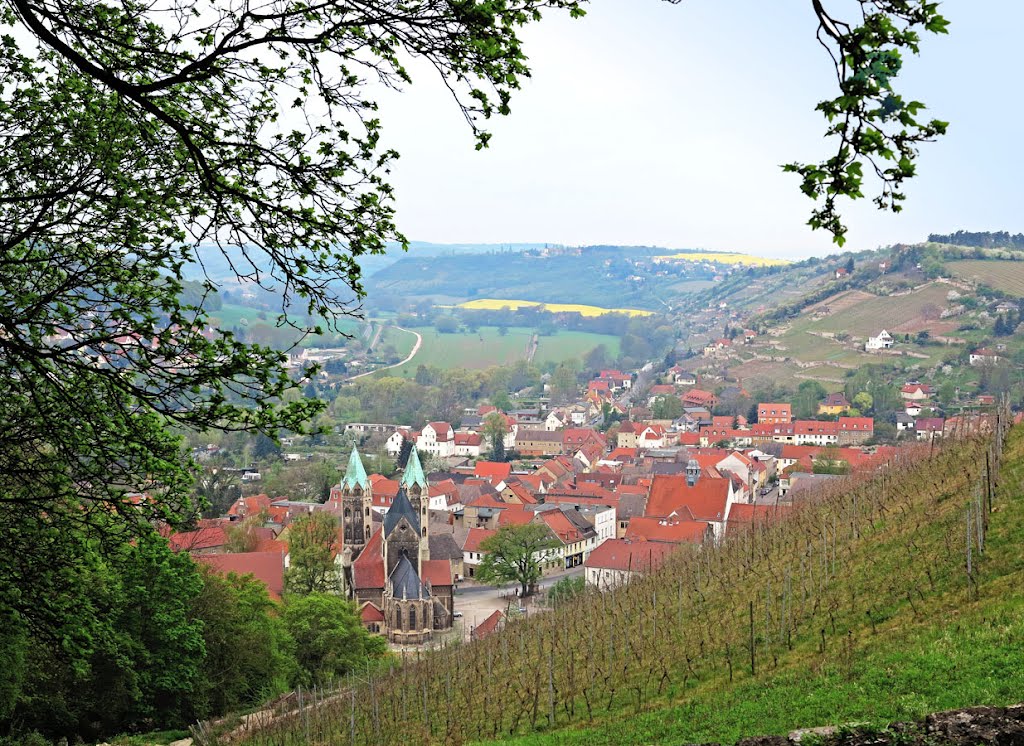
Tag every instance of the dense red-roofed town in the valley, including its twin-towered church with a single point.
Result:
(615, 503)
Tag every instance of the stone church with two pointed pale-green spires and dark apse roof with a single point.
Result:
(401, 592)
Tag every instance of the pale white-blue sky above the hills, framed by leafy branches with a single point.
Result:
(648, 123)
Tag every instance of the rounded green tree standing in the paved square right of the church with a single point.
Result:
(517, 554)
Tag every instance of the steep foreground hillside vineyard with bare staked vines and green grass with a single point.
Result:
(897, 594)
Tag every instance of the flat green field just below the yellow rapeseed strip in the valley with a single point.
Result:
(487, 347)
